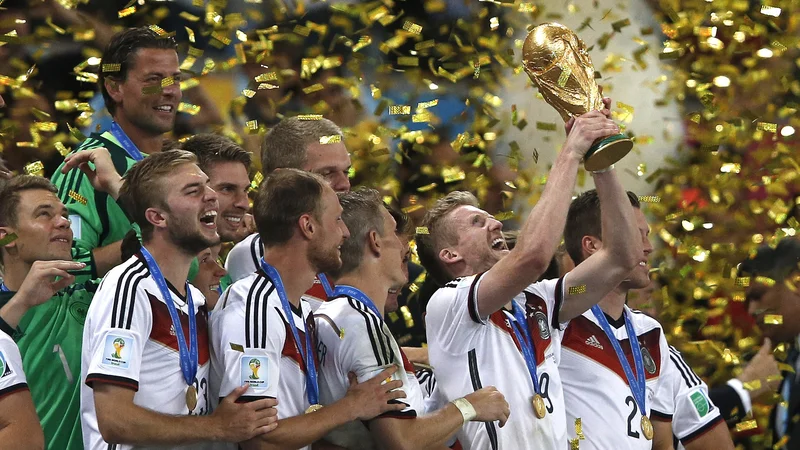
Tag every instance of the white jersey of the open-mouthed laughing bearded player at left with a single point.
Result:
(129, 340)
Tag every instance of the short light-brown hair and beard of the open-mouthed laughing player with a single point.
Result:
(142, 188)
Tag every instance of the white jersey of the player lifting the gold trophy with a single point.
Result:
(469, 352)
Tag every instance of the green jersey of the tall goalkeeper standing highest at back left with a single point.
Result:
(97, 219)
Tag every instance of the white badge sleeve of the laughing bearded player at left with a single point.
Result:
(119, 323)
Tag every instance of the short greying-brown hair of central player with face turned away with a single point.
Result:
(361, 214)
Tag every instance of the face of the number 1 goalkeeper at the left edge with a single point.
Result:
(42, 228)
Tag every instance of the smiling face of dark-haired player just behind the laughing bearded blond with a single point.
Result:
(230, 181)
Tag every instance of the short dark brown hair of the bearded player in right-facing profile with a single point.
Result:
(283, 197)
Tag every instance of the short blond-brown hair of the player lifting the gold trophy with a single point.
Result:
(440, 233)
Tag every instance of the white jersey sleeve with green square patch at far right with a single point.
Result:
(685, 401)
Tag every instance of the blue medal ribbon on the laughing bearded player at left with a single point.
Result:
(188, 353)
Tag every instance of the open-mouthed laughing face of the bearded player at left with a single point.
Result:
(192, 209)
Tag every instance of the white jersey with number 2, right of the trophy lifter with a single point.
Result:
(595, 387)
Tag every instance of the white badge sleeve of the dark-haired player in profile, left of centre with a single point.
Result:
(251, 351)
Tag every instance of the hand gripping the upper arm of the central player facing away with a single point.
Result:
(371, 398)
